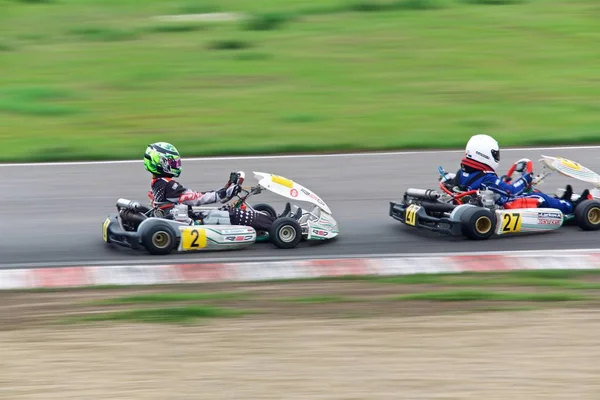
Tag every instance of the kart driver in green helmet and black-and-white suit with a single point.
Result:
(163, 161)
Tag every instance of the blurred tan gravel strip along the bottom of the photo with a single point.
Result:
(523, 356)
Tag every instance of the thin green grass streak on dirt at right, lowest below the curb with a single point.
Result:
(476, 295)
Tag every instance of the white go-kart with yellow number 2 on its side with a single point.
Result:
(163, 227)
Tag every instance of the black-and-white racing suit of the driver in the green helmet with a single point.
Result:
(169, 190)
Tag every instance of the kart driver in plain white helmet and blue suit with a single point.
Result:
(478, 171)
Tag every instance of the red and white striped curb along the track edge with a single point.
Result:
(29, 278)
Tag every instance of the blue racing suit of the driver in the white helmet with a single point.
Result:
(473, 176)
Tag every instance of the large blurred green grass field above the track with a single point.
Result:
(297, 76)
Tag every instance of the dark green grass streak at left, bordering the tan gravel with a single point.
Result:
(163, 315)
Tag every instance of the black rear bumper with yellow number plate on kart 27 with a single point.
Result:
(420, 219)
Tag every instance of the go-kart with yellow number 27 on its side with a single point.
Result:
(475, 215)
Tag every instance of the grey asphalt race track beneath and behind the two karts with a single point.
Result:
(52, 214)
